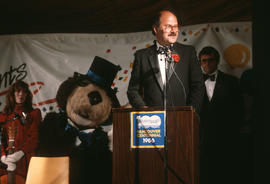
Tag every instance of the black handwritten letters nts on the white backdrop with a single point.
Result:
(14, 73)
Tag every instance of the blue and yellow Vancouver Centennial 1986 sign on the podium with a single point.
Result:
(147, 129)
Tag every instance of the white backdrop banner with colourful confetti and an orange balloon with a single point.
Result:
(46, 60)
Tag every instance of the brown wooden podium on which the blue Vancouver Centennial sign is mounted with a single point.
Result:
(145, 165)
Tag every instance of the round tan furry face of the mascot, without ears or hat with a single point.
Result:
(88, 106)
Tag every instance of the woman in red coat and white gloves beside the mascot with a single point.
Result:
(19, 132)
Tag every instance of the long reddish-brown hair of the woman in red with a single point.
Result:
(10, 97)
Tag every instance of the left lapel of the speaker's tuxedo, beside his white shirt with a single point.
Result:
(155, 66)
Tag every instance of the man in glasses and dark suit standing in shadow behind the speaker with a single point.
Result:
(221, 117)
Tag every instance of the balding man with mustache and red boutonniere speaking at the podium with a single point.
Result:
(166, 68)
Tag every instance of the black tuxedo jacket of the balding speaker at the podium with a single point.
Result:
(185, 82)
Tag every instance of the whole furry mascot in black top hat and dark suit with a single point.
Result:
(82, 129)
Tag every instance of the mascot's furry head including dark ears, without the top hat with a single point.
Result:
(86, 104)
